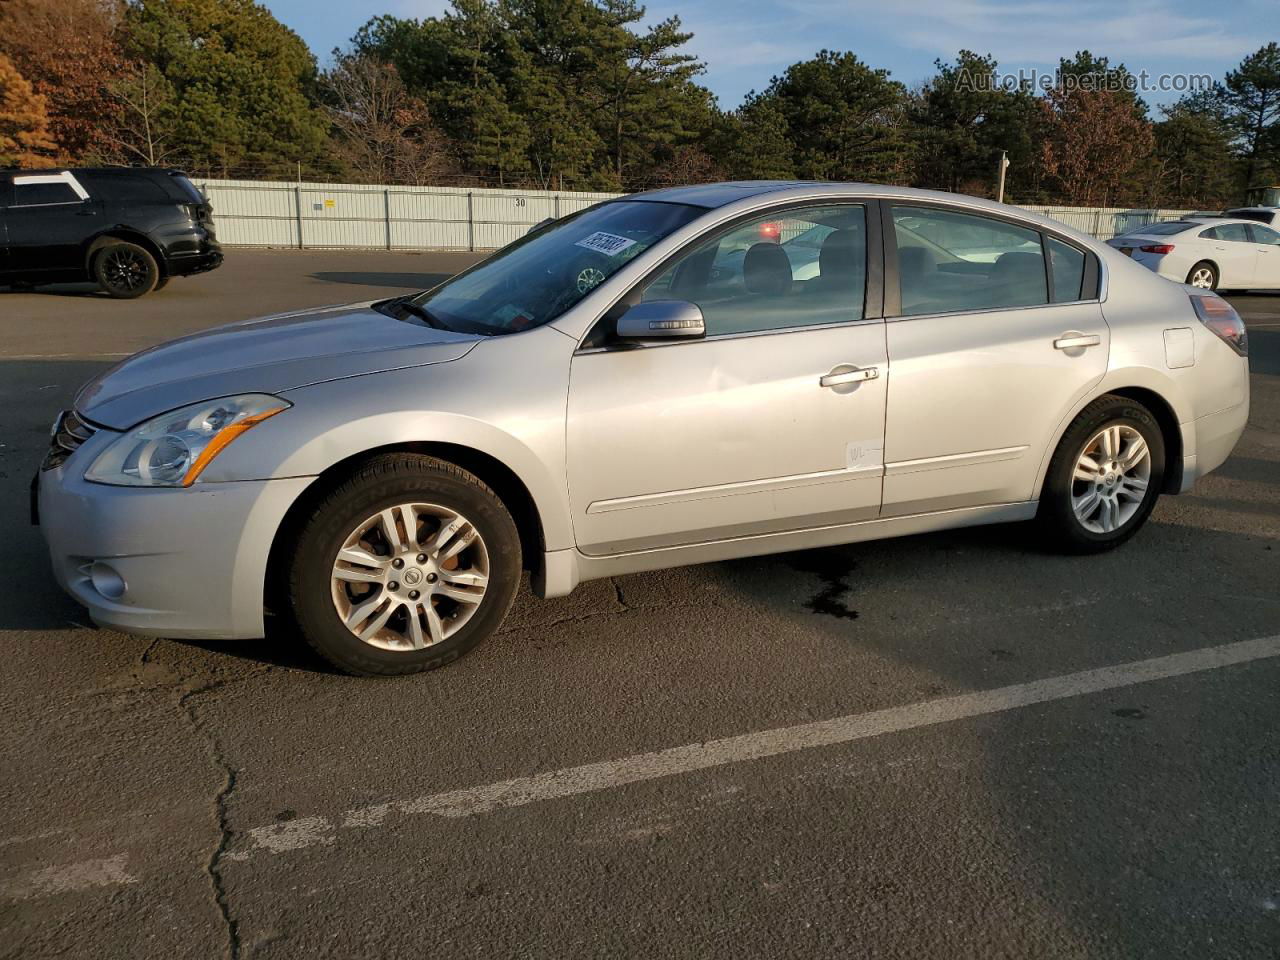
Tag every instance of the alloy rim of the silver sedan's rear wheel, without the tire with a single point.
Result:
(1112, 478)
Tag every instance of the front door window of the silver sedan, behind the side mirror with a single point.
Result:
(797, 268)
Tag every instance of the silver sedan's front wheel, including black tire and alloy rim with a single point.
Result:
(404, 568)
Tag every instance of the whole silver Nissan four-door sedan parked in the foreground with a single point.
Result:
(657, 381)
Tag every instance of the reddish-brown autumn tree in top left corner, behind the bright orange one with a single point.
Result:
(68, 51)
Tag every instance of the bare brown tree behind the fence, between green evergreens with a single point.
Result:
(383, 132)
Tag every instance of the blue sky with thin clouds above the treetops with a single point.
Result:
(746, 43)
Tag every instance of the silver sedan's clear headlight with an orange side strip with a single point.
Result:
(172, 450)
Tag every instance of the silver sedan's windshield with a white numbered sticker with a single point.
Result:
(540, 277)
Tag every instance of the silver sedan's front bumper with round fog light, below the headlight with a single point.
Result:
(193, 561)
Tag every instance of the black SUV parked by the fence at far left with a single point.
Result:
(129, 230)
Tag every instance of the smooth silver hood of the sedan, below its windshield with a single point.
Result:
(269, 355)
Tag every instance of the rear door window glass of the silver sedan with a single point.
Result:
(950, 262)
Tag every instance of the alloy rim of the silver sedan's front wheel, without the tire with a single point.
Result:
(410, 577)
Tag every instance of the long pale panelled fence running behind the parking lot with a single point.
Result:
(258, 214)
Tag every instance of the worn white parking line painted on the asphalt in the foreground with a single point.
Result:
(285, 838)
